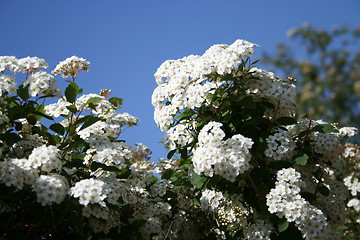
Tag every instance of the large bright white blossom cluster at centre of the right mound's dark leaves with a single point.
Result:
(227, 158)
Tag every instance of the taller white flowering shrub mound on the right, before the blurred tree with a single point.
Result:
(240, 157)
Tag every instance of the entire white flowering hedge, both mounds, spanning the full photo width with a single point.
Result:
(241, 164)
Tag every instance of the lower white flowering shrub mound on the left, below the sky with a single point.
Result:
(65, 172)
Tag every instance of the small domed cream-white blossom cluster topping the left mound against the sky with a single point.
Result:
(71, 67)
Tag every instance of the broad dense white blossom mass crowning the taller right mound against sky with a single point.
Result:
(184, 83)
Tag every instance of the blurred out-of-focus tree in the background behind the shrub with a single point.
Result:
(326, 65)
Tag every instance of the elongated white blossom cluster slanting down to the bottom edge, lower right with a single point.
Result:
(285, 201)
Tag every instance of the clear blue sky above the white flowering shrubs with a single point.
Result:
(126, 41)
